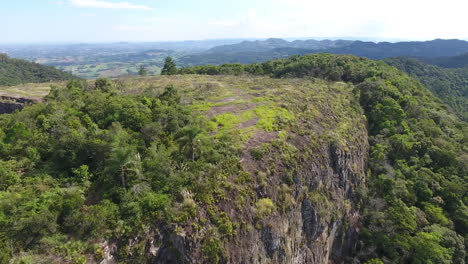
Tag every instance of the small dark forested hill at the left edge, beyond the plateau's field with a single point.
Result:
(17, 71)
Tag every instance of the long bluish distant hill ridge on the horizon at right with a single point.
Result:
(260, 51)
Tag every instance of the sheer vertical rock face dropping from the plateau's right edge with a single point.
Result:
(321, 225)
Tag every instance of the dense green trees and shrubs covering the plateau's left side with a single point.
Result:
(73, 174)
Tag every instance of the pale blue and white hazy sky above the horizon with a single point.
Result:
(42, 21)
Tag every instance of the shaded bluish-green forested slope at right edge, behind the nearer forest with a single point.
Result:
(451, 85)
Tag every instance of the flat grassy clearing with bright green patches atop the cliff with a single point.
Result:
(249, 104)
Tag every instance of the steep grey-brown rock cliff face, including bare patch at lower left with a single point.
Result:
(317, 225)
